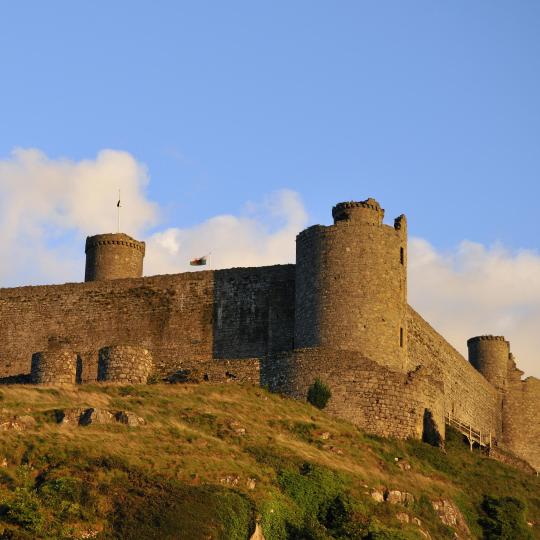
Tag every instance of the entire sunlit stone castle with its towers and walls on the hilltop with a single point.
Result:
(340, 314)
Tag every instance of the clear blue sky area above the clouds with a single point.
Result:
(432, 107)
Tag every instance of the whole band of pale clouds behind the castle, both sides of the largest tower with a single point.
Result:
(48, 206)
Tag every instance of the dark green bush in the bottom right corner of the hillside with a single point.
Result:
(504, 519)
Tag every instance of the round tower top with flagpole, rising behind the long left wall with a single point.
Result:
(113, 256)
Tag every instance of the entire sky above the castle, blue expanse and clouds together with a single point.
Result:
(230, 126)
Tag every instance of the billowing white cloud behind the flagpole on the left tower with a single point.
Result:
(48, 206)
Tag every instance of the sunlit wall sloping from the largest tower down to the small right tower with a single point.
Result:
(467, 394)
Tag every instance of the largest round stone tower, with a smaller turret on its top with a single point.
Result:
(351, 284)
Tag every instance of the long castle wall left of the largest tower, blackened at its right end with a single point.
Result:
(173, 316)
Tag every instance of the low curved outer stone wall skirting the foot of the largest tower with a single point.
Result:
(381, 401)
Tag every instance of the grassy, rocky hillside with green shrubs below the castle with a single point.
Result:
(211, 461)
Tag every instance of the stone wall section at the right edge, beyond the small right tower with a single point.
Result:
(521, 415)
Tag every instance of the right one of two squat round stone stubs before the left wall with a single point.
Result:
(124, 364)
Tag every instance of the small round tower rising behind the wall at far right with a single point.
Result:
(489, 355)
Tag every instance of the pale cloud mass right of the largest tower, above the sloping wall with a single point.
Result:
(474, 290)
